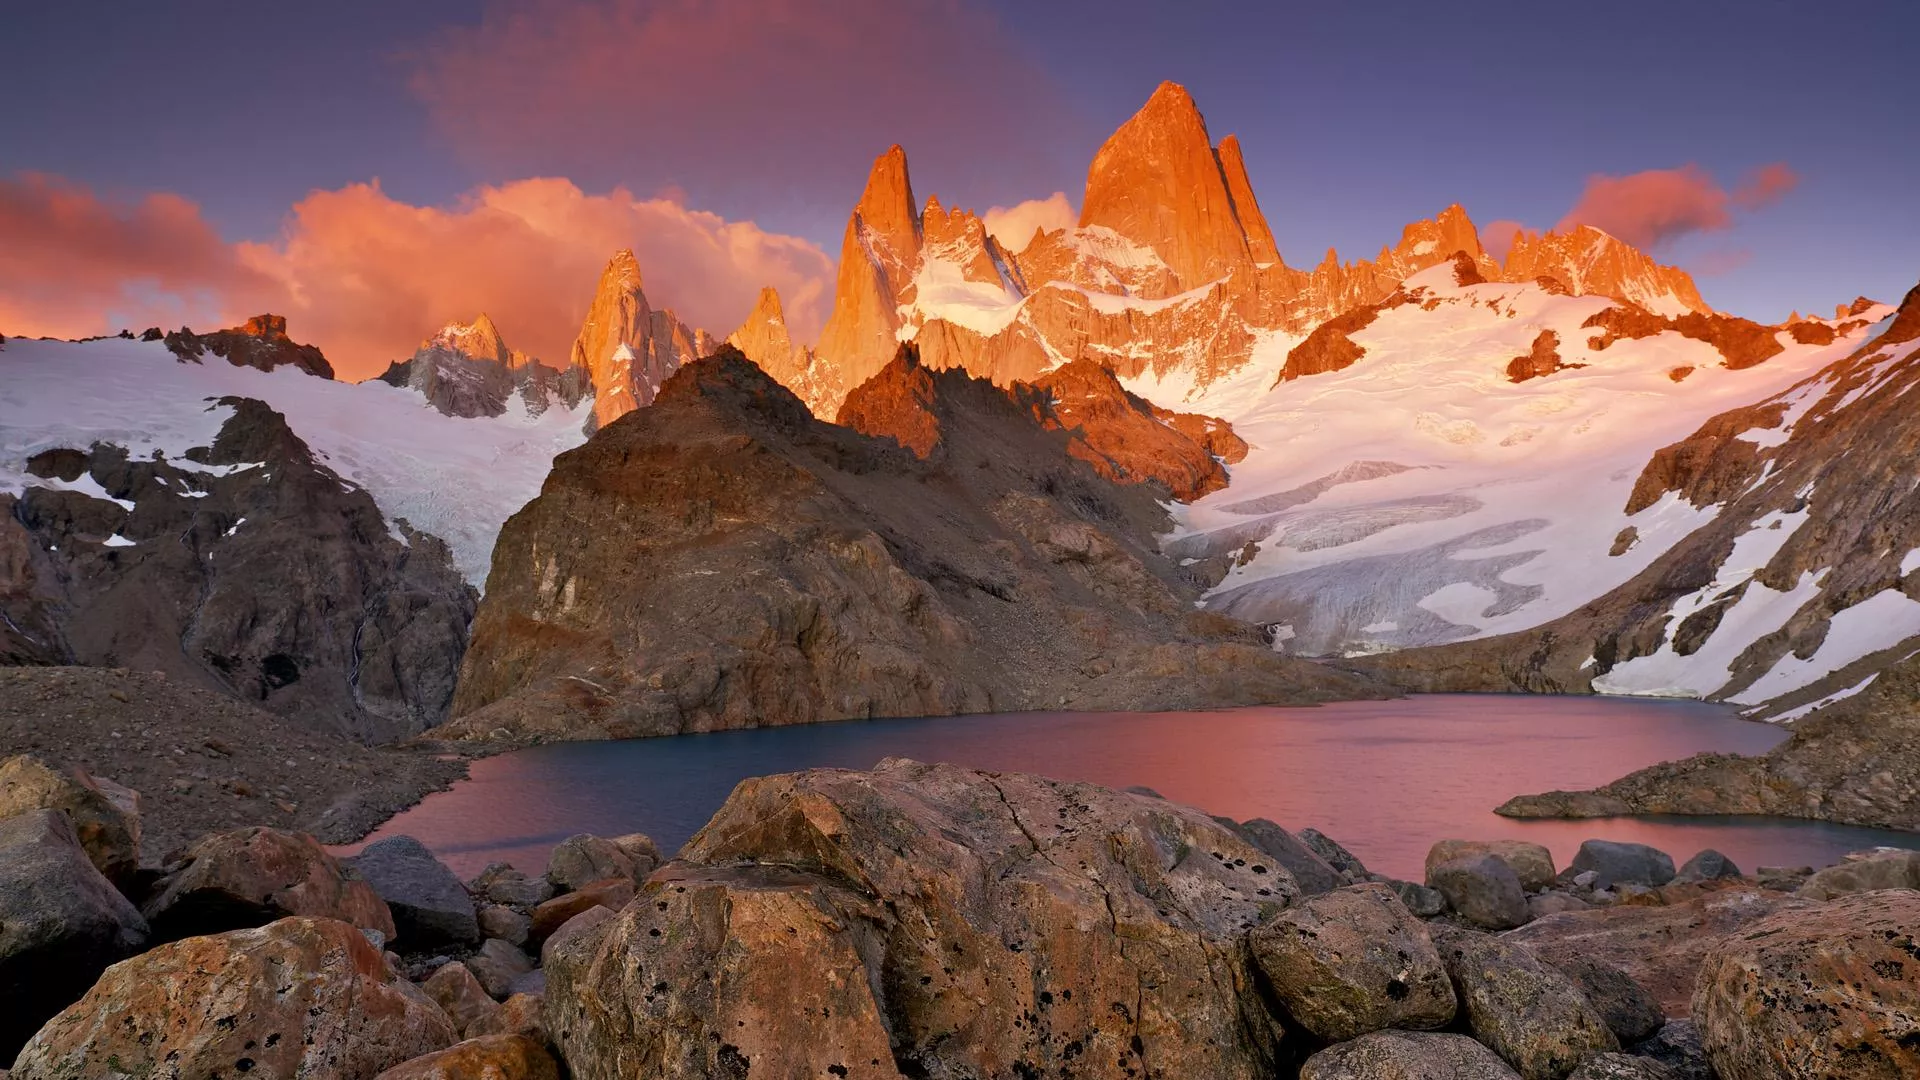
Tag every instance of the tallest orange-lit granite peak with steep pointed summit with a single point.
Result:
(1161, 184)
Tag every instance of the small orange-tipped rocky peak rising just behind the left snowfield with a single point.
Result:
(468, 372)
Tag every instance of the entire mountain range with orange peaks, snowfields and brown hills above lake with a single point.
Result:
(1140, 462)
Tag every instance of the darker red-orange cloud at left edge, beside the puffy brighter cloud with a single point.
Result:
(74, 264)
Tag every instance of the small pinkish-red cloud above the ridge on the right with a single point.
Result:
(1664, 205)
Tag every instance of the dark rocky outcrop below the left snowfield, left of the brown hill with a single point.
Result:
(247, 568)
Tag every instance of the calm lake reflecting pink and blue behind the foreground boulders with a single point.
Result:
(1385, 779)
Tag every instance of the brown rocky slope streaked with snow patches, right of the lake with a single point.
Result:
(1798, 583)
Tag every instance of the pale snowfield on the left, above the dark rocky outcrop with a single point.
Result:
(454, 478)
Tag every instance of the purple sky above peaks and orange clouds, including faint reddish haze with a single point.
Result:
(1356, 118)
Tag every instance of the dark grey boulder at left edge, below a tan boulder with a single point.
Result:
(62, 923)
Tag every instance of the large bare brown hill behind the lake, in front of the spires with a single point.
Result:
(725, 560)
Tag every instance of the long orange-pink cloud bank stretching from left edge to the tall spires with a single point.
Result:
(366, 276)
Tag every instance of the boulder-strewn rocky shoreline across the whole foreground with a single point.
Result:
(934, 921)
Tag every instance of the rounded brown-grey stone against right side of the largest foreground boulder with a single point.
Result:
(1355, 962)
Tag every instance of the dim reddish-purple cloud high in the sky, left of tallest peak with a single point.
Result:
(780, 103)
